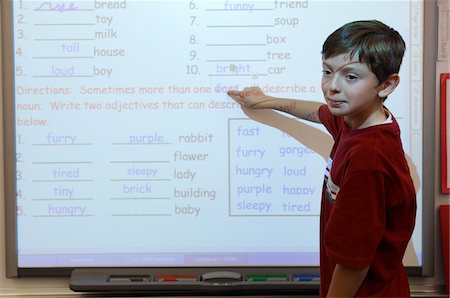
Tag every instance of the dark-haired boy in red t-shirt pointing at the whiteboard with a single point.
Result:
(368, 200)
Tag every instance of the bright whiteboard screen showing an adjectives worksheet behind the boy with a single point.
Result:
(128, 151)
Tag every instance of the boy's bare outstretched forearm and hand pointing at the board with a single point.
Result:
(254, 98)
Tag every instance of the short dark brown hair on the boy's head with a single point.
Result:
(375, 43)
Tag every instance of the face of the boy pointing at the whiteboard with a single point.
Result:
(350, 89)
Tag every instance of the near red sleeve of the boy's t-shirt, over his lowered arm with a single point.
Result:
(357, 221)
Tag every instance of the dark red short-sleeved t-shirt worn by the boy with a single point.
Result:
(368, 207)
